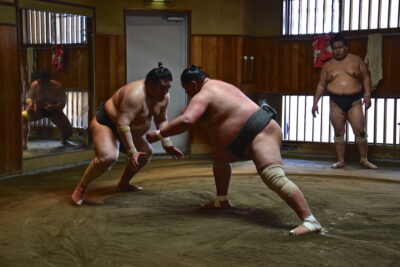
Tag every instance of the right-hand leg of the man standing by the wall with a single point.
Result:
(357, 121)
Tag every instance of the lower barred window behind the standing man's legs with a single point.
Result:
(298, 124)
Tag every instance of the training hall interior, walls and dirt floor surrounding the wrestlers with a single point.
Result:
(271, 50)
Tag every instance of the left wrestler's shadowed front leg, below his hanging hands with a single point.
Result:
(141, 145)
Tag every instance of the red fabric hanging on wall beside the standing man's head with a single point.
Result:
(322, 49)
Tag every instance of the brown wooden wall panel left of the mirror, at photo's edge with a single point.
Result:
(10, 107)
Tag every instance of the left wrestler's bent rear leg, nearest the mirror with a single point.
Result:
(106, 147)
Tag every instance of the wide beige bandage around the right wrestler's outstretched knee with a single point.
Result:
(274, 177)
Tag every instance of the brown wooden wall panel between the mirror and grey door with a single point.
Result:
(110, 65)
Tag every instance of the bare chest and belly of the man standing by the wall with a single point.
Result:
(344, 77)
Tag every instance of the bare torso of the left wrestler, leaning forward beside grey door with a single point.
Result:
(130, 105)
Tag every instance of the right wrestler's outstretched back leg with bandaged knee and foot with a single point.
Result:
(267, 159)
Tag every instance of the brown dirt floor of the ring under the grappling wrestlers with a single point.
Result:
(163, 225)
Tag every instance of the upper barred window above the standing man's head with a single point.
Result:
(324, 16)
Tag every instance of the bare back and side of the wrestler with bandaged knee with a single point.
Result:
(227, 111)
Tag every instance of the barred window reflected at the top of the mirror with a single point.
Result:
(43, 27)
